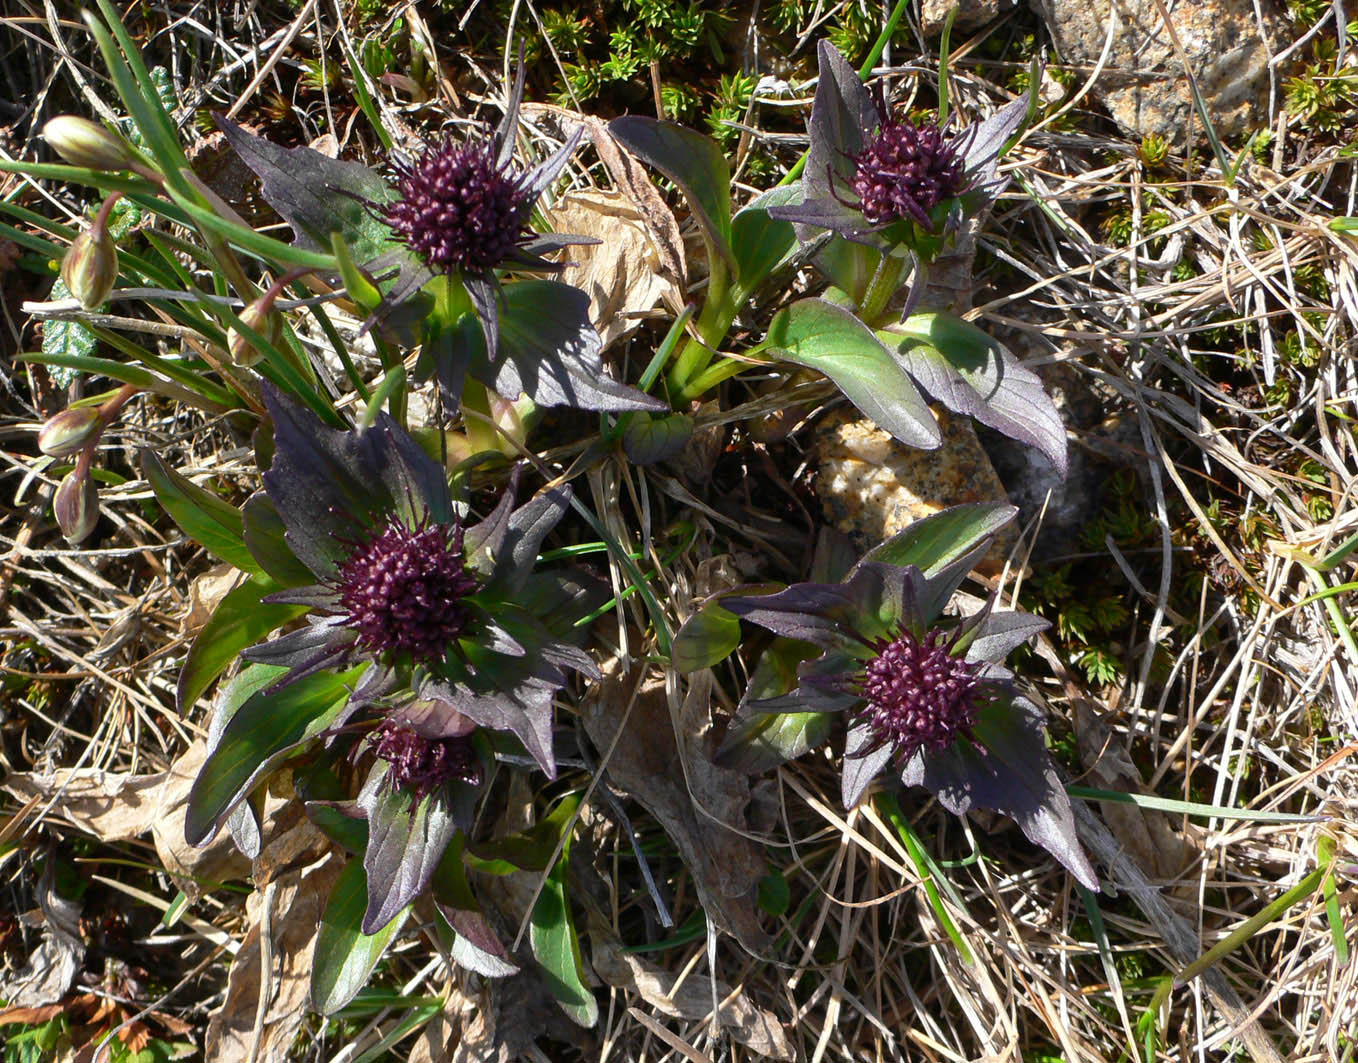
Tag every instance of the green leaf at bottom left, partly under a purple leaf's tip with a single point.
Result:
(346, 956)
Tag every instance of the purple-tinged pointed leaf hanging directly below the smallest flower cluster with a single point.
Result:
(407, 840)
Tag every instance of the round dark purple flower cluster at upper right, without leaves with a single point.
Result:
(905, 172)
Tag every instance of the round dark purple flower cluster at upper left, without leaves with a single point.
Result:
(460, 210)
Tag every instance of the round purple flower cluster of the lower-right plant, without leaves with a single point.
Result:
(917, 696)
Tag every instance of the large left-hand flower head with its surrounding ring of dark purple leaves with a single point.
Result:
(363, 530)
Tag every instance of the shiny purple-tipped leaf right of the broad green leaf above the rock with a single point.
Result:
(976, 375)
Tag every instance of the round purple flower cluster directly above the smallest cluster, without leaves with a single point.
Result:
(404, 591)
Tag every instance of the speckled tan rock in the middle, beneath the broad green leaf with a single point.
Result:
(871, 487)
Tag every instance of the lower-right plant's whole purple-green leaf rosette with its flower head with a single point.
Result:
(924, 693)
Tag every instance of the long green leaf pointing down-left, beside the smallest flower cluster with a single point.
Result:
(259, 736)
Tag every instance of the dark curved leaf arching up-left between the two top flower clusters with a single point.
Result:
(695, 164)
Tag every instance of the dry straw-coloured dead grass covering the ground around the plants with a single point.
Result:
(1243, 693)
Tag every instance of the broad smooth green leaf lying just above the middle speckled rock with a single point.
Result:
(833, 341)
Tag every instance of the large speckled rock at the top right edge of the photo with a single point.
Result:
(1144, 85)
